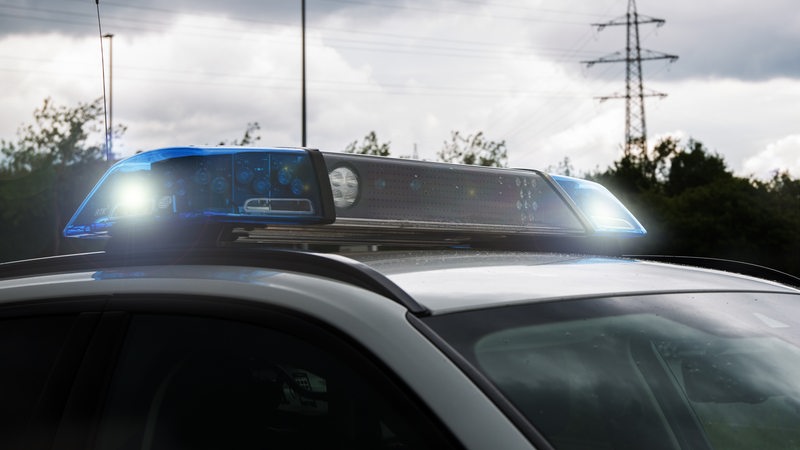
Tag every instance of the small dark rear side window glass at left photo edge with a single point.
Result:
(29, 348)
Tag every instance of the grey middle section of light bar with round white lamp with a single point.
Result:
(431, 196)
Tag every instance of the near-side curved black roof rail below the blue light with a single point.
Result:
(331, 266)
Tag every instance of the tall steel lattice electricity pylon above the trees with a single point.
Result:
(635, 125)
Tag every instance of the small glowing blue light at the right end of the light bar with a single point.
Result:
(608, 216)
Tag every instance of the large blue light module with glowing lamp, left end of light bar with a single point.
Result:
(198, 185)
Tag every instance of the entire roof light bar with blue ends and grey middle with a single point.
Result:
(269, 187)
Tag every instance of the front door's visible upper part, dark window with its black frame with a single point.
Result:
(205, 372)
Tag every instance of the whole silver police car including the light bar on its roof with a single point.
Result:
(288, 298)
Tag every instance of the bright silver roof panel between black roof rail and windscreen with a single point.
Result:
(455, 280)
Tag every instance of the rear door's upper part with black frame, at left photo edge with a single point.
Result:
(42, 348)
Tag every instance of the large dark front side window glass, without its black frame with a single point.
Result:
(191, 382)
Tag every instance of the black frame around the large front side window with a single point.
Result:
(98, 368)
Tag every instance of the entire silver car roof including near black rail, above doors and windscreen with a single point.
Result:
(423, 281)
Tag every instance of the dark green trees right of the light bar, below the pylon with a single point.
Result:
(692, 205)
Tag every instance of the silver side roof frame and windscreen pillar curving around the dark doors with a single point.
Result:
(370, 319)
